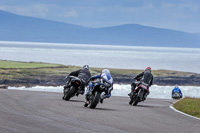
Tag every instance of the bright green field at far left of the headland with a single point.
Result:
(13, 64)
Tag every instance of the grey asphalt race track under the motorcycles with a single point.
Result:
(46, 112)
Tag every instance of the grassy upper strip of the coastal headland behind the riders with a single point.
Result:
(13, 70)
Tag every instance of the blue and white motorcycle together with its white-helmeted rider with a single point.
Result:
(99, 85)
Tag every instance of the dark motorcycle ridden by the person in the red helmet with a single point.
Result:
(139, 93)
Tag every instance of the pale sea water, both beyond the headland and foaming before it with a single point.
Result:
(108, 56)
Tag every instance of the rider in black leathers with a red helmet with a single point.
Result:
(146, 77)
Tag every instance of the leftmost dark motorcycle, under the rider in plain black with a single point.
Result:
(72, 88)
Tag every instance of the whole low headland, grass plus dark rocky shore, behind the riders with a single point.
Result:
(37, 73)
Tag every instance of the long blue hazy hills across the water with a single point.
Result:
(22, 28)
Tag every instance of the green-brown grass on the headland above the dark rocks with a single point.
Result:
(8, 65)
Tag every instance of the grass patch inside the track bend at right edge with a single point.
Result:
(189, 106)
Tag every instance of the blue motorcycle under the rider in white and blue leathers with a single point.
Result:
(99, 86)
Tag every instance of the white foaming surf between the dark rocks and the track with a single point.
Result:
(159, 92)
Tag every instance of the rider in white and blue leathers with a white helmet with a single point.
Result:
(106, 75)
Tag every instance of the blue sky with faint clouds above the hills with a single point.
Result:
(182, 15)
